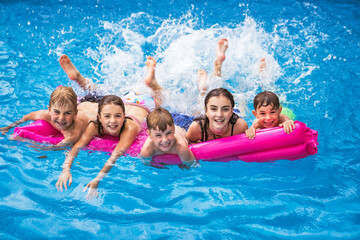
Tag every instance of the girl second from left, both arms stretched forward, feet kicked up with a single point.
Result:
(111, 120)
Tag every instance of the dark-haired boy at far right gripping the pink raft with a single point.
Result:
(267, 112)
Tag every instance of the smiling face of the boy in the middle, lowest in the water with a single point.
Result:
(163, 140)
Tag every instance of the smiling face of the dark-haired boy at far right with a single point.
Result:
(268, 116)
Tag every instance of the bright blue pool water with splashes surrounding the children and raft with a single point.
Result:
(312, 54)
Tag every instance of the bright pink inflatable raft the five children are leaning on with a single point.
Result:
(269, 144)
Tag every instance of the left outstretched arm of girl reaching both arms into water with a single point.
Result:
(90, 132)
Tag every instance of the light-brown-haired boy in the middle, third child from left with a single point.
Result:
(165, 137)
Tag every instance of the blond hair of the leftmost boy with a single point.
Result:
(63, 96)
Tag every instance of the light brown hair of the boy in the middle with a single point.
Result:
(160, 118)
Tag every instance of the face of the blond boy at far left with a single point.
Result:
(62, 116)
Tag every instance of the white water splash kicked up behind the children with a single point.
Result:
(181, 47)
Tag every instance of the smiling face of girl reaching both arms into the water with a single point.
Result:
(112, 118)
